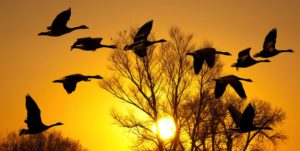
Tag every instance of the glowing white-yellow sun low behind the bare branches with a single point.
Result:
(166, 128)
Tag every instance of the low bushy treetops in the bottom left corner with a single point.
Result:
(46, 141)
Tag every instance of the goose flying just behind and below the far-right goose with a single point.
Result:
(245, 60)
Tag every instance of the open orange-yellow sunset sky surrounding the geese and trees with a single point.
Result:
(29, 63)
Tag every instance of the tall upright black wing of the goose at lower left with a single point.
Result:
(33, 113)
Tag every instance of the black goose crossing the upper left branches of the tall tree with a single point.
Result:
(140, 42)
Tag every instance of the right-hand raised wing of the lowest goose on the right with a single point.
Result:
(247, 116)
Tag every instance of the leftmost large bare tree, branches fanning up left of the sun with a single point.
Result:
(137, 81)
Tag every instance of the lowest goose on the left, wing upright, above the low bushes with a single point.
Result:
(34, 121)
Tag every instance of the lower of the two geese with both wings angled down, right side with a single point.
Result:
(234, 81)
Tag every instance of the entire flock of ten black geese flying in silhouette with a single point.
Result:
(243, 121)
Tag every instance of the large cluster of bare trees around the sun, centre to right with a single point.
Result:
(163, 84)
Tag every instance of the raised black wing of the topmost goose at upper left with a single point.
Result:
(61, 20)
